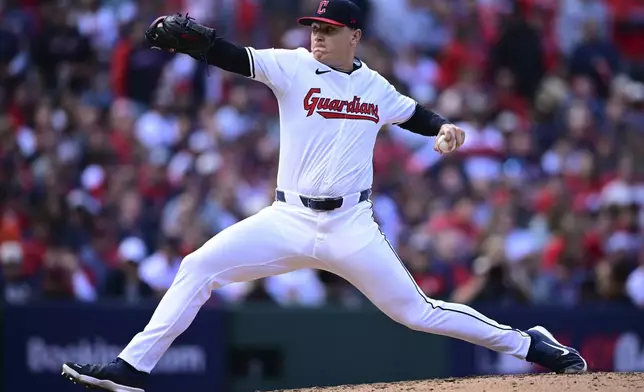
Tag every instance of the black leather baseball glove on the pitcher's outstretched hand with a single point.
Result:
(178, 33)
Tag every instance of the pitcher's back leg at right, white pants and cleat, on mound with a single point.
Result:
(360, 253)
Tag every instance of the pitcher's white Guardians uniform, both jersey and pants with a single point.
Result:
(329, 122)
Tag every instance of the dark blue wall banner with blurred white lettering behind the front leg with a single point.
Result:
(38, 339)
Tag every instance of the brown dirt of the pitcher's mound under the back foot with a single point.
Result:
(588, 382)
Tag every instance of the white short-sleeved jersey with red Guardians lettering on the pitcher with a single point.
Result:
(329, 120)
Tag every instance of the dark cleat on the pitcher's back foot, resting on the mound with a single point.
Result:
(546, 351)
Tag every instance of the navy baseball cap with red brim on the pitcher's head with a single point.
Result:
(342, 13)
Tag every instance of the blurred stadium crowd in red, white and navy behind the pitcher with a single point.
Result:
(117, 160)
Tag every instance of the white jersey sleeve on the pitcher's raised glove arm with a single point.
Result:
(274, 67)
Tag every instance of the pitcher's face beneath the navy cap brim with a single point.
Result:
(330, 43)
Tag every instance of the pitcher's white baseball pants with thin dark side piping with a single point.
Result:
(286, 236)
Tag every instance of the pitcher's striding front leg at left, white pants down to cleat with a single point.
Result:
(272, 242)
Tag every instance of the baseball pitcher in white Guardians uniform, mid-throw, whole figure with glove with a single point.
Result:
(331, 108)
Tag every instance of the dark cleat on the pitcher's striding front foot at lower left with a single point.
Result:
(116, 376)
